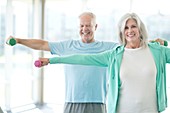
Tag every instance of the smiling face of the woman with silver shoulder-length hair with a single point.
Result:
(131, 32)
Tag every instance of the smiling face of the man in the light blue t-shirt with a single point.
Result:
(87, 29)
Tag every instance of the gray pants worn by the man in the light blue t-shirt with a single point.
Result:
(84, 108)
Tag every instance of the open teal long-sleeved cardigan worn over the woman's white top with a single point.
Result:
(112, 59)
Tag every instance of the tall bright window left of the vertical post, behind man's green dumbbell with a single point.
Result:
(16, 78)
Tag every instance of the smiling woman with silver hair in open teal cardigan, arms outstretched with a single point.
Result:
(137, 69)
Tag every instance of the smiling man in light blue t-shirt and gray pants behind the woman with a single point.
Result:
(86, 86)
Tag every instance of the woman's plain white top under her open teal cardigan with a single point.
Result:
(138, 82)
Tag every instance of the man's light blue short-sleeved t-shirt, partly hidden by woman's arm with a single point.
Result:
(83, 84)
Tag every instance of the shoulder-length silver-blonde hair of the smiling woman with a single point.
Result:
(140, 25)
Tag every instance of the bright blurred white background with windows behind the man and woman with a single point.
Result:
(27, 89)
